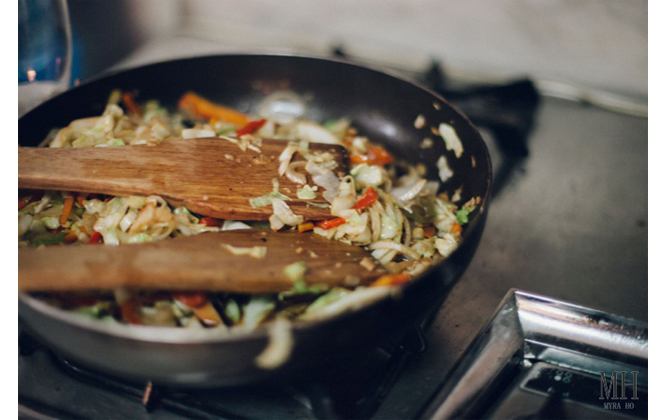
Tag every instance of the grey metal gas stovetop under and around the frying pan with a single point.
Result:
(554, 228)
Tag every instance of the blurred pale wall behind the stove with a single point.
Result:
(598, 44)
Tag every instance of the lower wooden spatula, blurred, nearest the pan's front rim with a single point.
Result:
(208, 262)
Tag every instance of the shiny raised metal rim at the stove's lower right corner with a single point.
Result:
(528, 328)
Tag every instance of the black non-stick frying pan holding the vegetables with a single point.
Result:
(382, 106)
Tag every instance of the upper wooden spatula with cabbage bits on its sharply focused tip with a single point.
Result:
(212, 177)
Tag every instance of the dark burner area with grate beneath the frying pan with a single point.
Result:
(57, 388)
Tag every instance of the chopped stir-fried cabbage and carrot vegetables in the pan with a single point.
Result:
(383, 205)
